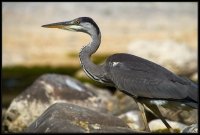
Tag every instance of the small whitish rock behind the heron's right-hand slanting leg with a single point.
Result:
(157, 124)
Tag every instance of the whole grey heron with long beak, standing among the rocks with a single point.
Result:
(139, 78)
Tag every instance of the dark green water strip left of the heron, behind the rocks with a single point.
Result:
(16, 79)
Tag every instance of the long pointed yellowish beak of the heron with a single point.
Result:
(60, 25)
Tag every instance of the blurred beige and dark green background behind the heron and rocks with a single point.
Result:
(165, 33)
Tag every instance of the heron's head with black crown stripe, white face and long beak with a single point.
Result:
(81, 24)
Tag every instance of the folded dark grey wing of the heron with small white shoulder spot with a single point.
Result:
(142, 78)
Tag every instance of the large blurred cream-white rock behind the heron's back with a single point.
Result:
(177, 57)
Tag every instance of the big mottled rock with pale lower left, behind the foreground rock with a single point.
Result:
(45, 91)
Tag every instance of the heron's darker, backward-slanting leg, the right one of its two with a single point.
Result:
(156, 111)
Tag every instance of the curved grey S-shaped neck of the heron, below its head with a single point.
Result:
(91, 69)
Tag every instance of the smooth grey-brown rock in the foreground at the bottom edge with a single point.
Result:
(70, 118)
